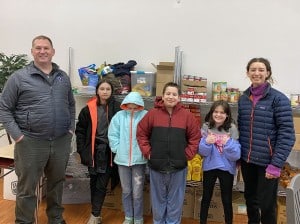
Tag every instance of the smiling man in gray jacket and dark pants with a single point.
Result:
(37, 108)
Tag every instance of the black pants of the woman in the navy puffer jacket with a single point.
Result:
(260, 194)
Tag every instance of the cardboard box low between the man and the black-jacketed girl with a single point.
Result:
(76, 191)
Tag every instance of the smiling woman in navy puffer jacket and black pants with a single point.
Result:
(266, 136)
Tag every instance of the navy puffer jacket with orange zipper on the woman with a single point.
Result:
(266, 130)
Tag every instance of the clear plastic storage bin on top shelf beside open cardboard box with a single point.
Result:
(143, 82)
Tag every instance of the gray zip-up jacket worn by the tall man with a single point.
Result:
(38, 107)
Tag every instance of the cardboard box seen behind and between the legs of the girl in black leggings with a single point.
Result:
(215, 212)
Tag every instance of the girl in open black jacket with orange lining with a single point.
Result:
(93, 147)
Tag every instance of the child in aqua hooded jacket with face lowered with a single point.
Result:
(131, 163)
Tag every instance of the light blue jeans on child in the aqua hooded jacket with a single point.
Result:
(132, 181)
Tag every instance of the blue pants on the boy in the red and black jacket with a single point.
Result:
(167, 196)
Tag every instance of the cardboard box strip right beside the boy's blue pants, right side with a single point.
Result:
(189, 203)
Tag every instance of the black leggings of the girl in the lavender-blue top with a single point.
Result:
(226, 184)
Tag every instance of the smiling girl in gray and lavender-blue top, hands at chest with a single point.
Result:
(220, 150)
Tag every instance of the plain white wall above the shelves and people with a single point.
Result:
(218, 37)
